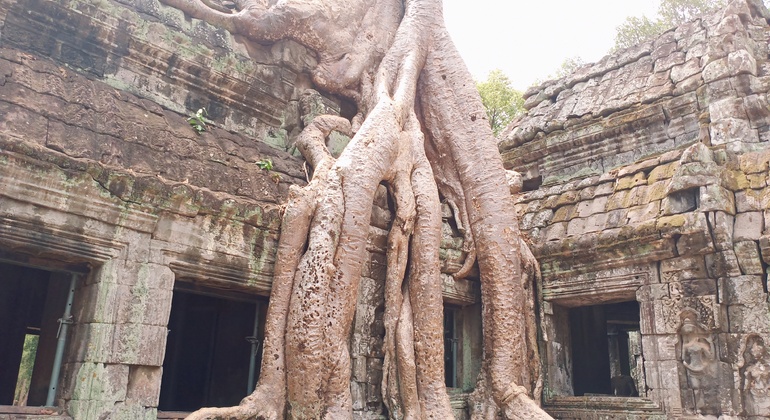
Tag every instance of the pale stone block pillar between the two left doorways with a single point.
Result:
(115, 357)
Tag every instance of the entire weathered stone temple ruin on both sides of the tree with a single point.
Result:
(133, 249)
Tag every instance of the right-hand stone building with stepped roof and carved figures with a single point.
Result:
(648, 176)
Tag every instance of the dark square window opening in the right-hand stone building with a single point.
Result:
(606, 349)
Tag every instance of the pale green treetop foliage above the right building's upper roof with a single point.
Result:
(671, 13)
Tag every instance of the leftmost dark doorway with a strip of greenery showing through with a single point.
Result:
(32, 302)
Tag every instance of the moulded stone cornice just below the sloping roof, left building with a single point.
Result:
(125, 195)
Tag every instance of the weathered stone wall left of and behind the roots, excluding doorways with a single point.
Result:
(101, 175)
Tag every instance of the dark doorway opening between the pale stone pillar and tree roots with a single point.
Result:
(211, 350)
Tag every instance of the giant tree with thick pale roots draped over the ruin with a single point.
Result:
(420, 129)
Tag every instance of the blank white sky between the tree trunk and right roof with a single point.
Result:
(529, 39)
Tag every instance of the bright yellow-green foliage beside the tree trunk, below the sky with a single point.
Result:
(502, 102)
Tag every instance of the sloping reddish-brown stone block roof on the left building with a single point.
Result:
(121, 129)
